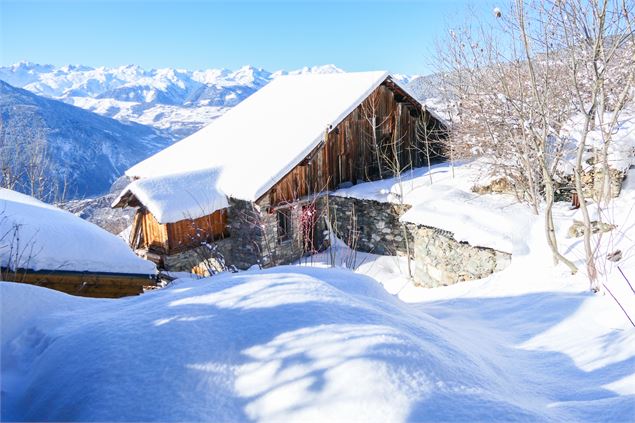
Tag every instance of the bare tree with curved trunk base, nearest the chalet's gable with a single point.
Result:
(511, 104)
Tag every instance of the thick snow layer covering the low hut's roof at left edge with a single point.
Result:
(39, 236)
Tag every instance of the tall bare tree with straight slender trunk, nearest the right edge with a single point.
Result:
(598, 39)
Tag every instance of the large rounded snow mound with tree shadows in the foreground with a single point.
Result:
(287, 344)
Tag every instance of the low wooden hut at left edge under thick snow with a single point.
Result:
(45, 246)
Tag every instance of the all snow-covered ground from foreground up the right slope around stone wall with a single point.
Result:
(310, 342)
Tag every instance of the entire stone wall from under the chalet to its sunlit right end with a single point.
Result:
(367, 225)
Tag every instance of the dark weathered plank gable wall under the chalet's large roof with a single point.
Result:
(357, 151)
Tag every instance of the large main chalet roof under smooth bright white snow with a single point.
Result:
(260, 140)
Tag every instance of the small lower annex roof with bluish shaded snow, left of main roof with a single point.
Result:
(177, 196)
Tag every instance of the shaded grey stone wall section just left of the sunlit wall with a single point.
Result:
(370, 226)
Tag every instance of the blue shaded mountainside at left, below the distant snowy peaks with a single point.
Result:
(87, 152)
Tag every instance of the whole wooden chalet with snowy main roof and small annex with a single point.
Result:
(298, 137)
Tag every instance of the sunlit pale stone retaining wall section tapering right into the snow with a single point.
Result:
(441, 260)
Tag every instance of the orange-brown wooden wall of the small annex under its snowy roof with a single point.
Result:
(169, 238)
